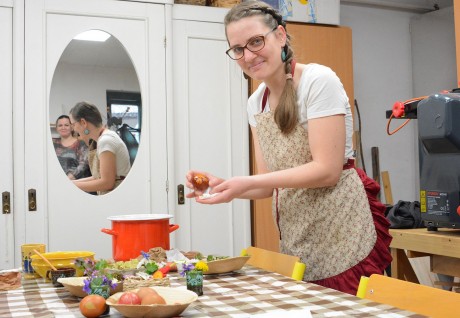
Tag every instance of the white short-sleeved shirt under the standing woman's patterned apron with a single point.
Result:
(319, 94)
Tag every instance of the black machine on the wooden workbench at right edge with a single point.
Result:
(439, 157)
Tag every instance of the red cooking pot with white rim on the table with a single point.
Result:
(134, 233)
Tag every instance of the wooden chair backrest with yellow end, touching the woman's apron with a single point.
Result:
(283, 264)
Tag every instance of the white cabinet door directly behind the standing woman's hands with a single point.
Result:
(211, 129)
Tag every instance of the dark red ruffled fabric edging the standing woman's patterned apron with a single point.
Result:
(379, 258)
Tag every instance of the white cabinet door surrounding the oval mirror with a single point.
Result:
(65, 217)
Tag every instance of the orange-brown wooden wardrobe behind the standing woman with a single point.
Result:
(322, 44)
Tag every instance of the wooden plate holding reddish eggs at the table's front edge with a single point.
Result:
(177, 300)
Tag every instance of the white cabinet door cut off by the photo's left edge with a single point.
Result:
(6, 133)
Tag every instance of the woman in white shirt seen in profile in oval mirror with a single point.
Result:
(110, 163)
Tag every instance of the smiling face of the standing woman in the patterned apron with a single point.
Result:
(262, 64)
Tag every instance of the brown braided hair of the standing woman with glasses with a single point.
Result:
(286, 113)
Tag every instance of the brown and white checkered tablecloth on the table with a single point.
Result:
(245, 293)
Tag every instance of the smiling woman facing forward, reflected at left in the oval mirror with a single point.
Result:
(71, 152)
